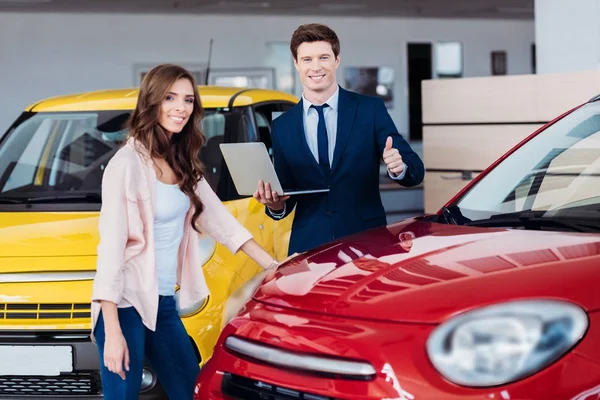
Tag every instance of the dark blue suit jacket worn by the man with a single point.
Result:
(353, 203)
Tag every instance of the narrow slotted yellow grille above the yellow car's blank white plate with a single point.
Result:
(44, 311)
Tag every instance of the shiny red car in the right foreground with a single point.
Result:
(495, 297)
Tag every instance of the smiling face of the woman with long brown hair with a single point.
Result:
(177, 106)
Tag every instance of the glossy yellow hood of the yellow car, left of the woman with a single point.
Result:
(33, 238)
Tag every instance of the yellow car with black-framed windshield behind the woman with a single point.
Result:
(51, 163)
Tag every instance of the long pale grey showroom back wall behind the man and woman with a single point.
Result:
(45, 55)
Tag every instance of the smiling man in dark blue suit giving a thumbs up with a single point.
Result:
(335, 139)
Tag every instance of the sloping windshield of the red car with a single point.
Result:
(554, 175)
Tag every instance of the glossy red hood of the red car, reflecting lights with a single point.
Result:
(425, 272)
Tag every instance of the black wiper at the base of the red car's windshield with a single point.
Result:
(535, 221)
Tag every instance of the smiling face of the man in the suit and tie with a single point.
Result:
(316, 65)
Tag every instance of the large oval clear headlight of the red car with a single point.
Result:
(503, 343)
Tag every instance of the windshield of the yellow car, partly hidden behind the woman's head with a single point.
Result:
(59, 158)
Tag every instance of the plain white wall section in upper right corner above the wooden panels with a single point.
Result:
(567, 35)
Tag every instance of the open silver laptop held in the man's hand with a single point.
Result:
(250, 162)
